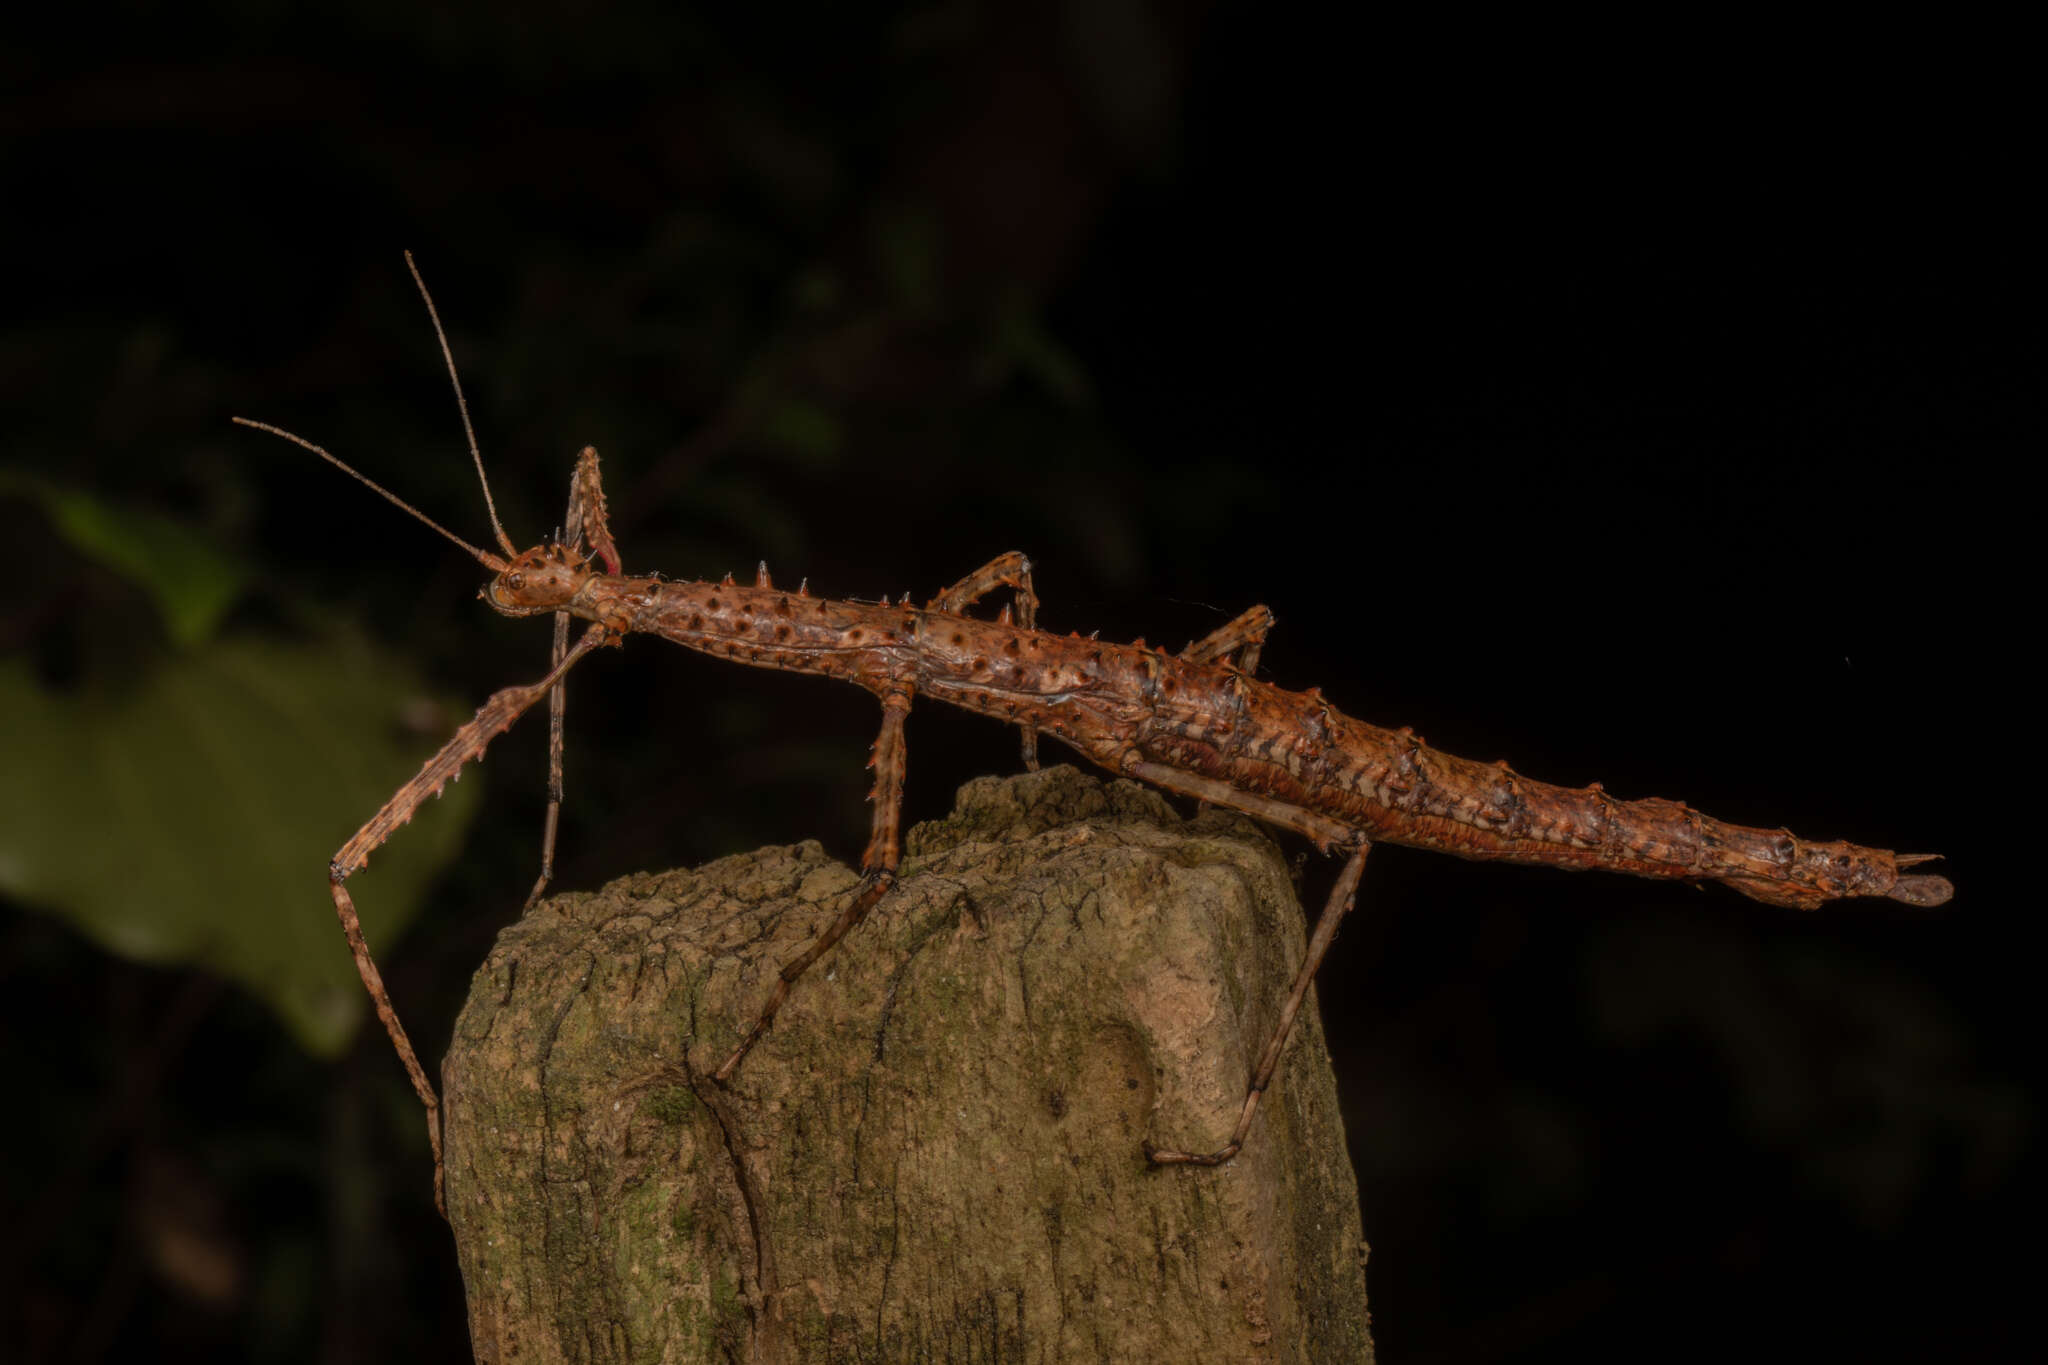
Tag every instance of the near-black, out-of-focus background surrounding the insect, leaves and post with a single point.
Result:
(1631, 404)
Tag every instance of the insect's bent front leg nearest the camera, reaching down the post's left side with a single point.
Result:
(493, 719)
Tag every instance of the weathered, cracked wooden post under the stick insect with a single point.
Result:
(937, 1151)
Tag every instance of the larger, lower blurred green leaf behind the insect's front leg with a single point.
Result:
(191, 820)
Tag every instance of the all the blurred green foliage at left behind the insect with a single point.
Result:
(181, 801)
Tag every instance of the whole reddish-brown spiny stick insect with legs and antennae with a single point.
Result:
(1195, 723)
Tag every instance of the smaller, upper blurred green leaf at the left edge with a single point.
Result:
(191, 580)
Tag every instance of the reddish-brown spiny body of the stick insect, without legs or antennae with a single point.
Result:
(1127, 705)
